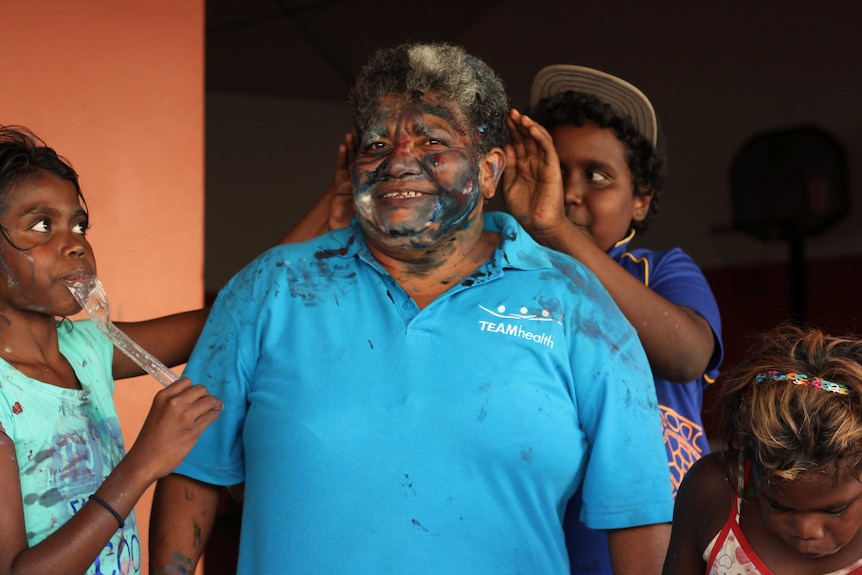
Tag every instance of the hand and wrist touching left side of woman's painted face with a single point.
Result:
(334, 209)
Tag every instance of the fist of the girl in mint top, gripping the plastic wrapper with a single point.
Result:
(178, 416)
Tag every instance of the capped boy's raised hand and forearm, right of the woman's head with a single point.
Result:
(678, 341)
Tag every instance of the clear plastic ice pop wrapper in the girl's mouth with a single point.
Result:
(91, 296)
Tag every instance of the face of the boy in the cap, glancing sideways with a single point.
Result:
(597, 183)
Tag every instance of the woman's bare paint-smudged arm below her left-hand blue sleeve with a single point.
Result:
(182, 519)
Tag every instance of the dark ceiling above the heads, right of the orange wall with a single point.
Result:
(673, 50)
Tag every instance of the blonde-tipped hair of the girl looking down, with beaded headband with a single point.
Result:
(787, 428)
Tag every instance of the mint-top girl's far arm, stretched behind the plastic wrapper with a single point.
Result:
(170, 338)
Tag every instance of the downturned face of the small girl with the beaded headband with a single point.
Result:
(813, 515)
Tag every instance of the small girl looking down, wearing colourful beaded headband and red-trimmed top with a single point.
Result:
(786, 494)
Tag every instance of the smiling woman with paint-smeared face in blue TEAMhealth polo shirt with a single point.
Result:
(423, 390)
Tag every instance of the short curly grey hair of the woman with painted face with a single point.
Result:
(444, 70)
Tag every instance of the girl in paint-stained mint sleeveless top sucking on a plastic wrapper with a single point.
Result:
(67, 485)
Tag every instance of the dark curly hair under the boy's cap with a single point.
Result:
(646, 164)
